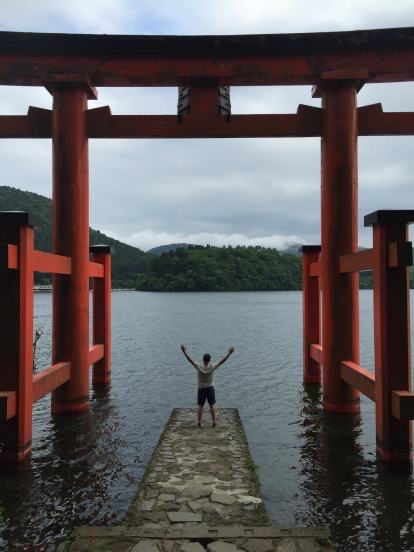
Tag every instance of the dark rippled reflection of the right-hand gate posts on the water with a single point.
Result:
(367, 506)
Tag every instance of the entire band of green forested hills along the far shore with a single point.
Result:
(188, 268)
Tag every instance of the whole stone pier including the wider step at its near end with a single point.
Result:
(200, 491)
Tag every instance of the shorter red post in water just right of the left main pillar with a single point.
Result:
(101, 371)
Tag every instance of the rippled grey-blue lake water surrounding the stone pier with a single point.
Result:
(315, 467)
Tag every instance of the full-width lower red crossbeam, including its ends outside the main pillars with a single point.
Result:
(372, 121)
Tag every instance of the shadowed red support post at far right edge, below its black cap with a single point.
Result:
(392, 344)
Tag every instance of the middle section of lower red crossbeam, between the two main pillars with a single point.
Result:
(307, 122)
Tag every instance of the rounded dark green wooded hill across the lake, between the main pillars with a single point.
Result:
(208, 268)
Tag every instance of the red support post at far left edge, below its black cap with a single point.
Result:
(16, 345)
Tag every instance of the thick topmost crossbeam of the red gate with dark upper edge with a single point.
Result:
(233, 64)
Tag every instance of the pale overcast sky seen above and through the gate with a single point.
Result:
(261, 191)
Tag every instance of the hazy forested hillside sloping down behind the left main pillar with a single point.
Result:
(127, 263)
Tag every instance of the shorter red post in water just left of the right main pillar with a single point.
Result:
(311, 318)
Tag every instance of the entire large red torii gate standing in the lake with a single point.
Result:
(337, 65)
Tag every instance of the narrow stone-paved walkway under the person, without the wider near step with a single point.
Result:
(199, 463)
